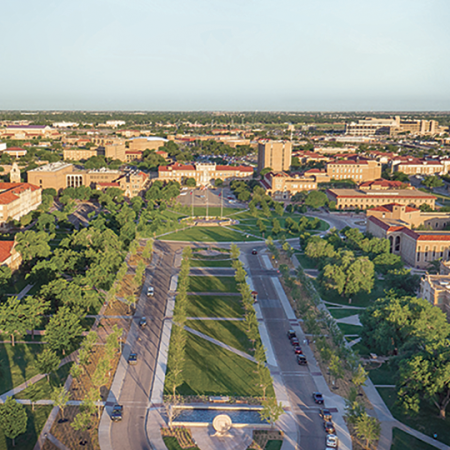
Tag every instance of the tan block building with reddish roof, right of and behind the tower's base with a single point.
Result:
(358, 170)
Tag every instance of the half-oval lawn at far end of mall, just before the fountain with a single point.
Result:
(207, 234)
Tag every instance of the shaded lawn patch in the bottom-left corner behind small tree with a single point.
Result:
(35, 423)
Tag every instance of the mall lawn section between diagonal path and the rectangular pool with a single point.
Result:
(212, 370)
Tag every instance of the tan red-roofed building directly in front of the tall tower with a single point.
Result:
(281, 186)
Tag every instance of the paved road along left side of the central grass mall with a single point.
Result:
(130, 432)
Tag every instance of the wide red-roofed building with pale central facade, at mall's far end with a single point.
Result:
(203, 173)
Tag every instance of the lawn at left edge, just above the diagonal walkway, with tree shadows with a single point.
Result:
(17, 364)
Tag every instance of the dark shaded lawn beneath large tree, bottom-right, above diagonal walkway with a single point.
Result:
(427, 421)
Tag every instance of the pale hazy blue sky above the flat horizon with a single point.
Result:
(225, 55)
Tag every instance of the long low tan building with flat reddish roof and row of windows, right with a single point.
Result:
(363, 199)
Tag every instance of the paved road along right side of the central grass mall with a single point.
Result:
(297, 379)
